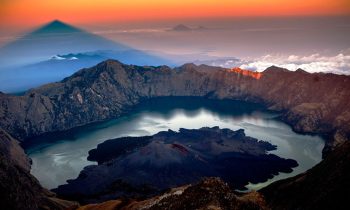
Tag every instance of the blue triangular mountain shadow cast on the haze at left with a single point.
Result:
(26, 63)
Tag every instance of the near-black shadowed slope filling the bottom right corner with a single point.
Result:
(325, 186)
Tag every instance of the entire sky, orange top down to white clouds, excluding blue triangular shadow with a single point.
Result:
(309, 34)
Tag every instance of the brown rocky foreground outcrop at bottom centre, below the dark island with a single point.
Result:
(210, 193)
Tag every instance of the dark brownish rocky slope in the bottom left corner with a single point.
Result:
(18, 188)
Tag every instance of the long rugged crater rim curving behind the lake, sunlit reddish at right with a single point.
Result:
(312, 103)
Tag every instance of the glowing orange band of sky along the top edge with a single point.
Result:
(29, 12)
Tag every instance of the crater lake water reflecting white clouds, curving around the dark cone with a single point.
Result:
(59, 157)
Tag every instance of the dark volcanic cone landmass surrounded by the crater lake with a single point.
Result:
(145, 166)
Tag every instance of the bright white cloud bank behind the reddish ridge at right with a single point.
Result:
(338, 64)
